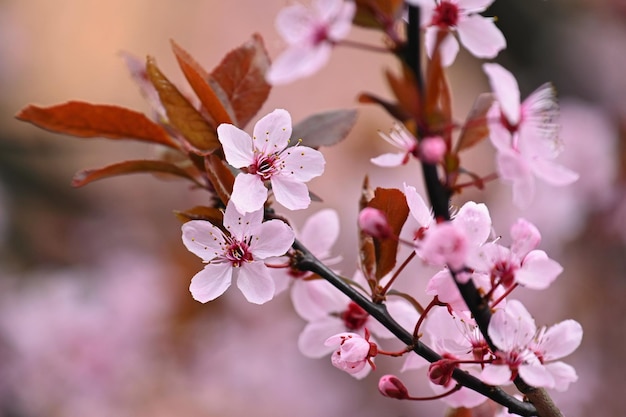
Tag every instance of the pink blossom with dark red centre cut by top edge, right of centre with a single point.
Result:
(477, 33)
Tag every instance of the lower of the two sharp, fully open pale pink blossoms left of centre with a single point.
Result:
(237, 254)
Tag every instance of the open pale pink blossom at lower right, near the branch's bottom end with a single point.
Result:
(523, 351)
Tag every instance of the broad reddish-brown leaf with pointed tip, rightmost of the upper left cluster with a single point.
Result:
(241, 75)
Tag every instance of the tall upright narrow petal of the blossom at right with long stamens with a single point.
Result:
(506, 89)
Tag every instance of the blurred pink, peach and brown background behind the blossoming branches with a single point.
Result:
(95, 314)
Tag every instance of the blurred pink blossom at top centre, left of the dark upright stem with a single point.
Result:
(311, 34)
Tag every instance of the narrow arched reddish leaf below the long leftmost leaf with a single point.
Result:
(129, 167)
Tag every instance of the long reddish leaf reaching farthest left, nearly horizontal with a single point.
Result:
(87, 120)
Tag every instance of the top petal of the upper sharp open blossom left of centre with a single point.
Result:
(272, 131)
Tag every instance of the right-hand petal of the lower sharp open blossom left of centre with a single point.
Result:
(272, 238)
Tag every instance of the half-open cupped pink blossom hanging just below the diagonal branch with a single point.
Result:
(353, 354)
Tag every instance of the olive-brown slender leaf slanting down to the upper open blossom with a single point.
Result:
(181, 114)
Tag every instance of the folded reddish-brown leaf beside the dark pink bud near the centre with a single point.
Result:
(392, 202)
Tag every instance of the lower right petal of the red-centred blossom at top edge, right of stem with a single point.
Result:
(481, 36)
